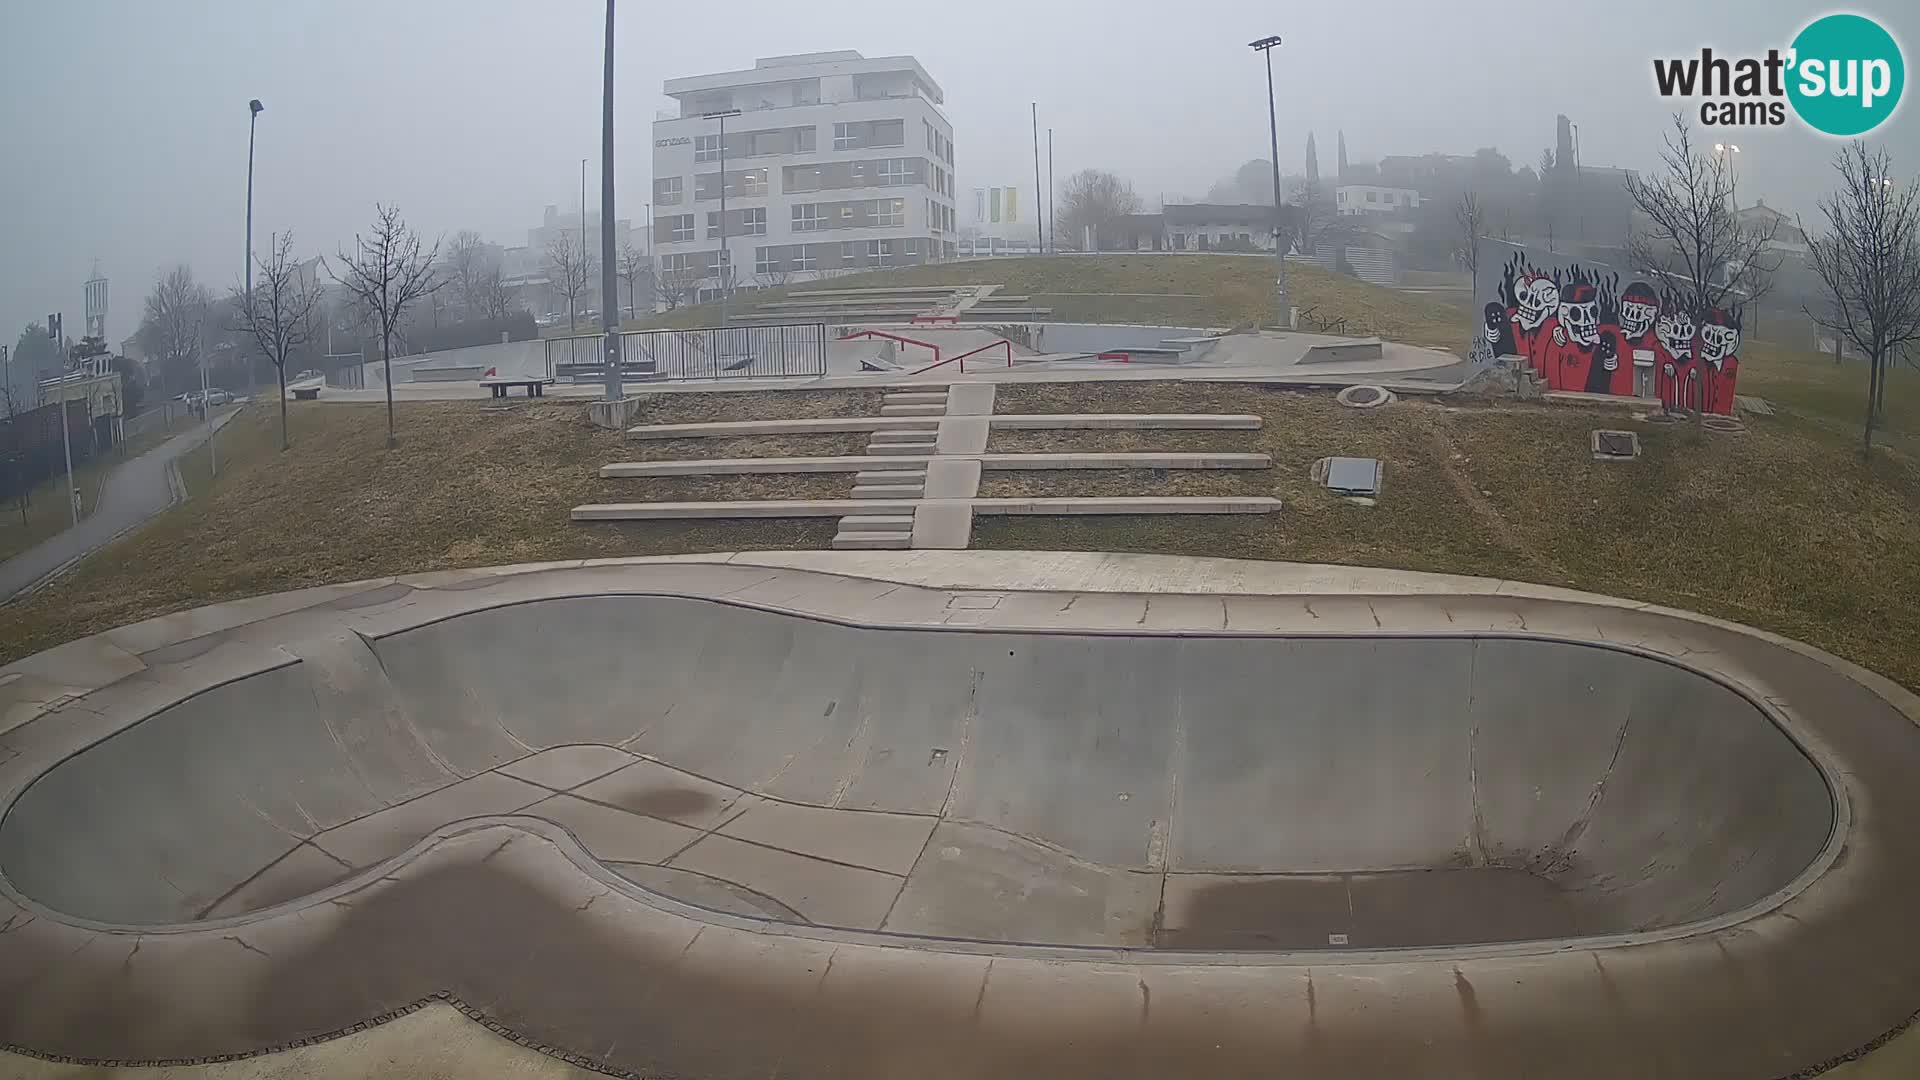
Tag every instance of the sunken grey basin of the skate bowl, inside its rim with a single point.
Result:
(1124, 791)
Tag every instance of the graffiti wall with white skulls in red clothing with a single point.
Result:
(1596, 330)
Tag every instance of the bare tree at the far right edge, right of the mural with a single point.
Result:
(1871, 264)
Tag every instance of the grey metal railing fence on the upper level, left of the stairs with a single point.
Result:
(767, 351)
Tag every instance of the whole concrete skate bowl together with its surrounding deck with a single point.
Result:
(965, 814)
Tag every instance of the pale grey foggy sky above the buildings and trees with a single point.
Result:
(124, 122)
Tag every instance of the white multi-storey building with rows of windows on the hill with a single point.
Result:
(836, 162)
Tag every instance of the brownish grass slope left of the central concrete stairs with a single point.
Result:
(471, 485)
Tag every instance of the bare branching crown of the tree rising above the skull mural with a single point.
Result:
(1692, 239)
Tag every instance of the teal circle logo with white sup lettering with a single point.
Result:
(1848, 76)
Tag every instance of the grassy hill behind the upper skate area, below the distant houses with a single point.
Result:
(1212, 291)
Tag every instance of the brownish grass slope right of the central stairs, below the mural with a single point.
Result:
(1779, 528)
